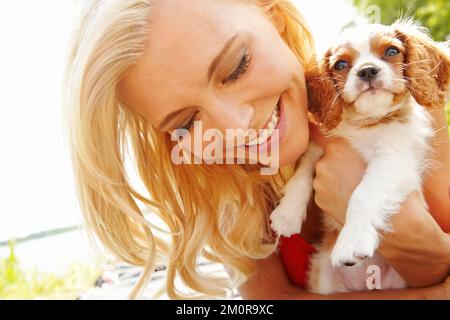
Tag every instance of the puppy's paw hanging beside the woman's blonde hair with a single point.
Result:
(287, 219)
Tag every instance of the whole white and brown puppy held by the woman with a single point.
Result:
(372, 88)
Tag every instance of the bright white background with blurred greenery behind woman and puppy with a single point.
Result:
(43, 253)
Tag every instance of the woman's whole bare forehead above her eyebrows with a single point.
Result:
(184, 38)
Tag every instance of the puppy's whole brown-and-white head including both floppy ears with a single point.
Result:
(372, 68)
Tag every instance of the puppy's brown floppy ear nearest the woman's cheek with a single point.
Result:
(325, 104)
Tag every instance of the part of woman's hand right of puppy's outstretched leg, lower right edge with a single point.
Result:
(418, 248)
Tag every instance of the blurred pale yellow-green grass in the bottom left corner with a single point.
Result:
(16, 283)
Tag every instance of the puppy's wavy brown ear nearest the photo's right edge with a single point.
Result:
(427, 65)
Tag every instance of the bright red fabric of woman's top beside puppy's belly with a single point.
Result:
(295, 253)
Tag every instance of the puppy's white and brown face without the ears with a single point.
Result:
(367, 69)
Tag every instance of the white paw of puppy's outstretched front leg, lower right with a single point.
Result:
(353, 246)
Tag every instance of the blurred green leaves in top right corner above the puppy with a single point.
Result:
(433, 14)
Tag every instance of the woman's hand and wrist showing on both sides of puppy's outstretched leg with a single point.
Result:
(418, 249)
